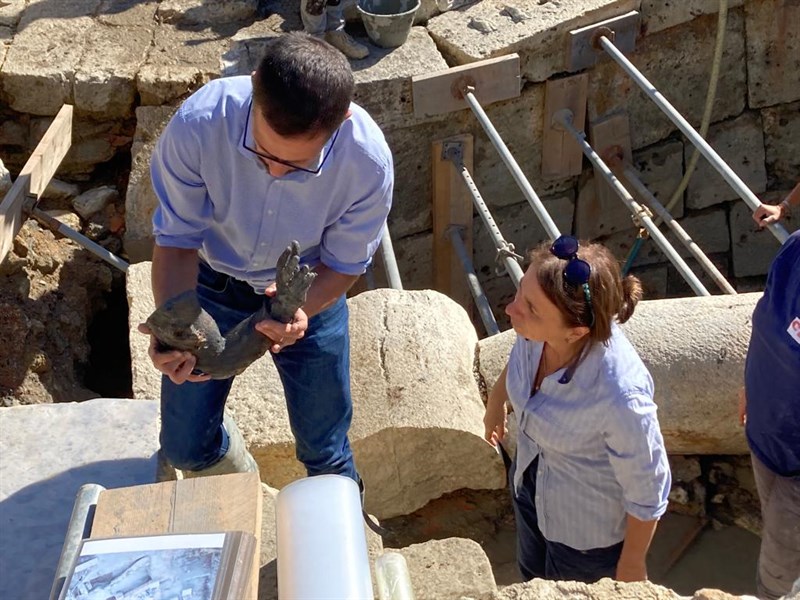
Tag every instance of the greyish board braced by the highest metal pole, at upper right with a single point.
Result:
(583, 49)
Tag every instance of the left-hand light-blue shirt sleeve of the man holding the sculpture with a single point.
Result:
(184, 208)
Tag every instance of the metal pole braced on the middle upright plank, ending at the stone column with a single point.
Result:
(564, 118)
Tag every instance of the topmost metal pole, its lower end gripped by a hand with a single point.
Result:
(707, 151)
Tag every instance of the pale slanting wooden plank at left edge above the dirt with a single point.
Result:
(34, 176)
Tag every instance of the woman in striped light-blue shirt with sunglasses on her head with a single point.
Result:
(590, 478)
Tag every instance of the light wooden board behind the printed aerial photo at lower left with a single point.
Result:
(197, 505)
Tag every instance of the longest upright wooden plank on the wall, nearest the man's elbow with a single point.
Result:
(452, 206)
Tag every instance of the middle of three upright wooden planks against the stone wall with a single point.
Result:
(561, 155)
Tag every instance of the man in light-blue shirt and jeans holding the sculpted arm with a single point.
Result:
(245, 166)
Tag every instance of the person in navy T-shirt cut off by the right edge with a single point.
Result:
(770, 411)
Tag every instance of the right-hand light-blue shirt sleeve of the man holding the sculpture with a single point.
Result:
(348, 245)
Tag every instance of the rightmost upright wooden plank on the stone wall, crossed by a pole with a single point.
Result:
(611, 138)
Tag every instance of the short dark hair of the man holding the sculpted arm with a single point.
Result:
(303, 85)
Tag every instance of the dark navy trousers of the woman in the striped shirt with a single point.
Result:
(538, 556)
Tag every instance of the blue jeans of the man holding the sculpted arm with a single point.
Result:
(315, 372)
